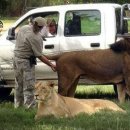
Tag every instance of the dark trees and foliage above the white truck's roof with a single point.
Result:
(17, 7)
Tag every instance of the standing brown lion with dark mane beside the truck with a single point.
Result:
(102, 66)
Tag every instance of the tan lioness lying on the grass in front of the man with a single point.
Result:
(51, 103)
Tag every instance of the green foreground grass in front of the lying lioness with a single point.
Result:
(20, 119)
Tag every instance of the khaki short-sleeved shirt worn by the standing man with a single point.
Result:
(28, 43)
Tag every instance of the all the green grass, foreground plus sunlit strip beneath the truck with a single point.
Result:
(22, 119)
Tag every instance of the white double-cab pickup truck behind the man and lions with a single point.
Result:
(79, 27)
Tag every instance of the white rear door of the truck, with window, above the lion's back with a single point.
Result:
(82, 30)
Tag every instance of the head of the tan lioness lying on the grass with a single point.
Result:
(43, 90)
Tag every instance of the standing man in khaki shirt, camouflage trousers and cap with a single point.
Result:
(29, 44)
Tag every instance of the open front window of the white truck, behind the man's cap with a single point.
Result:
(49, 16)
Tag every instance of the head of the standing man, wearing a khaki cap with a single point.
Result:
(38, 24)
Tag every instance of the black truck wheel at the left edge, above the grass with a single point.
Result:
(5, 93)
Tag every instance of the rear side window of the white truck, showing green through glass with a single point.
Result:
(82, 23)
